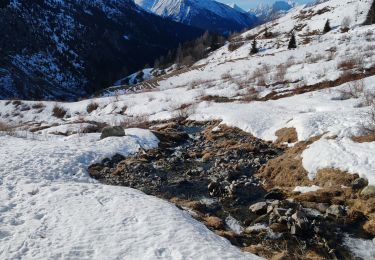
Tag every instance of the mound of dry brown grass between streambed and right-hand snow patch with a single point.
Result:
(287, 170)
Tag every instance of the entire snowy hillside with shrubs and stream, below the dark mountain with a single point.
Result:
(271, 149)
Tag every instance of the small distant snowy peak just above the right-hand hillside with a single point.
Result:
(266, 12)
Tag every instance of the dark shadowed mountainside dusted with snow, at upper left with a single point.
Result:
(68, 49)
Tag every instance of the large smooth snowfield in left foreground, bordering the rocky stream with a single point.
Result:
(51, 209)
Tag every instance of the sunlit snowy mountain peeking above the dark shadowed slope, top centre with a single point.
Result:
(205, 14)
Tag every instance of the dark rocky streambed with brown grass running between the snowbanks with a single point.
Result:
(211, 172)
